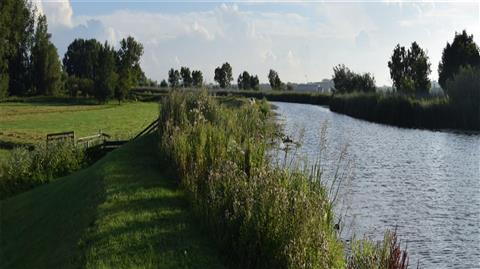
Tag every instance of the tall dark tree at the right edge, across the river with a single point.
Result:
(463, 51)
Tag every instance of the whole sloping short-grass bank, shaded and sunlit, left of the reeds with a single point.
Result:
(122, 212)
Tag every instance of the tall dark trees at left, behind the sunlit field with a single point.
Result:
(30, 65)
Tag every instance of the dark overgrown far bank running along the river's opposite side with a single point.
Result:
(396, 110)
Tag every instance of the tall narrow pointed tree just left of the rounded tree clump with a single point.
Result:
(46, 68)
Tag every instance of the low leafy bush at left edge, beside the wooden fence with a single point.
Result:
(26, 169)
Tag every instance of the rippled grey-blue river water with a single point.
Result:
(426, 183)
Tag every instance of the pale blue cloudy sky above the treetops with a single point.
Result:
(301, 40)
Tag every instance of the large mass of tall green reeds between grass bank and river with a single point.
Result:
(262, 217)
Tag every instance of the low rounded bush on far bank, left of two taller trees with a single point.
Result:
(347, 81)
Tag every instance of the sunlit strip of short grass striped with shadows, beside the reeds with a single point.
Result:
(144, 220)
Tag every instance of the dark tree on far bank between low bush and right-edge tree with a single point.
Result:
(408, 66)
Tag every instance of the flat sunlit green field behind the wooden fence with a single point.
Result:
(29, 122)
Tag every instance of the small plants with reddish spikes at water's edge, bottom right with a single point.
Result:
(384, 255)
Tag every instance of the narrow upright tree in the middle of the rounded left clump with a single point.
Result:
(105, 77)
